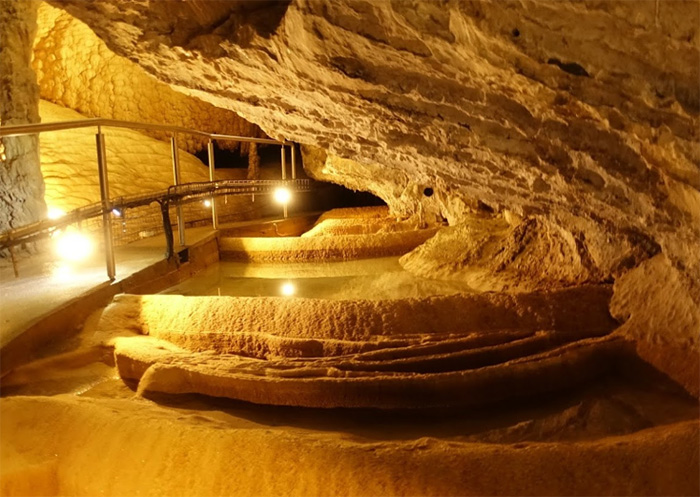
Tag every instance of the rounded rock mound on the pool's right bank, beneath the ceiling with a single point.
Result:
(492, 255)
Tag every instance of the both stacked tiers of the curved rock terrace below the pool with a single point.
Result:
(464, 349)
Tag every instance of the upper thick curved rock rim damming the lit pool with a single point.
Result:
(184, 320)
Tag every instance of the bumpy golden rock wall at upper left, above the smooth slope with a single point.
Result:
(75, 69)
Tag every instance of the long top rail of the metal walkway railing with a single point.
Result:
(34, 128)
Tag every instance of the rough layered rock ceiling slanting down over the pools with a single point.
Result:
(584, 115)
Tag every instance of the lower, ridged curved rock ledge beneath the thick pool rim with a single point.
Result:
(332, 383)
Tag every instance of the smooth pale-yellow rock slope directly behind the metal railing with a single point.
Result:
(136, 164)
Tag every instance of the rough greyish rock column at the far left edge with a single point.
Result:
(21, 185)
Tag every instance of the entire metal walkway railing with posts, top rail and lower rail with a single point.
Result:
(178, 193)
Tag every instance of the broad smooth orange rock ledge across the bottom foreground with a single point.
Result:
(155, 446)
